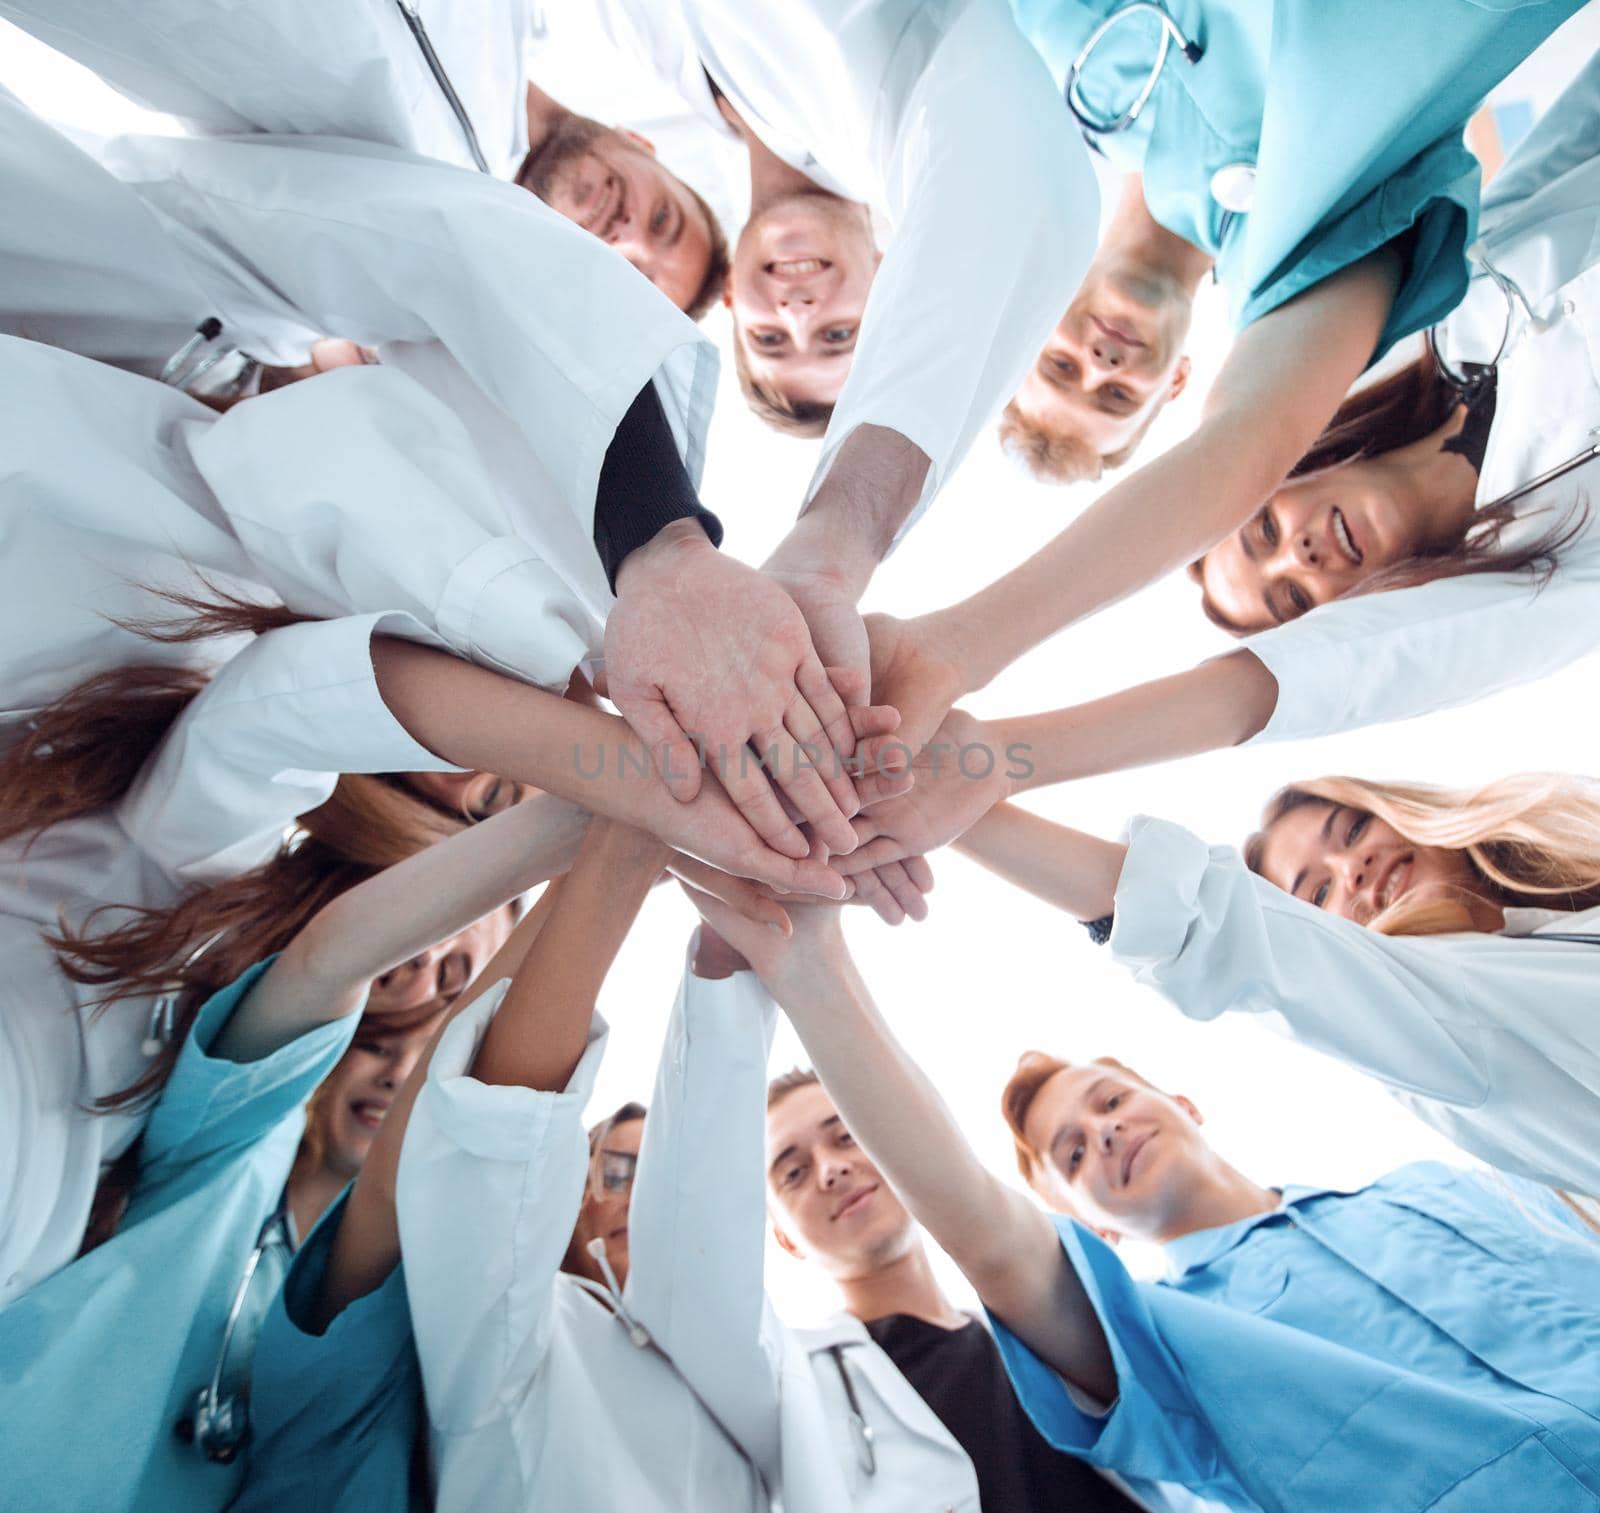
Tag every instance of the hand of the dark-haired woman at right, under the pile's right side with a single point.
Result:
(961, 776)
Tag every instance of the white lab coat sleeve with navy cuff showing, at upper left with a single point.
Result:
(535, 333)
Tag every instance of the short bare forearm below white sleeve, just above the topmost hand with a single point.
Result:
(854, 517)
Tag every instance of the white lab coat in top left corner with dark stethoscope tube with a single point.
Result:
(311, 70)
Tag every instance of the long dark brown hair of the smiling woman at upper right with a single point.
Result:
(1396, 412)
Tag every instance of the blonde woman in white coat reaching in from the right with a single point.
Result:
(1444, 943)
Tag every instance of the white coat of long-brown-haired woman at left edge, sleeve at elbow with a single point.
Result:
(263, 743)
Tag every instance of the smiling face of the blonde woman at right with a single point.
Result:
(1356, 864)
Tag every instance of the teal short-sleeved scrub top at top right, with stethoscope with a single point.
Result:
(1350, 116)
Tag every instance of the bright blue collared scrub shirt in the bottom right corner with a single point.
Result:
(1428, 1343)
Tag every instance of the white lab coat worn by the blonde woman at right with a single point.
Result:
(1492, 1039)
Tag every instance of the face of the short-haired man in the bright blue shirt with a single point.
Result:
(1116, 1151)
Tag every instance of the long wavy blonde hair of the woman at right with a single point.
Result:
(1532, 839)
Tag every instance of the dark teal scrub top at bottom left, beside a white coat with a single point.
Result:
(335, 1416)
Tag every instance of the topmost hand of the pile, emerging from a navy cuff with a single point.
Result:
(703, 645)
